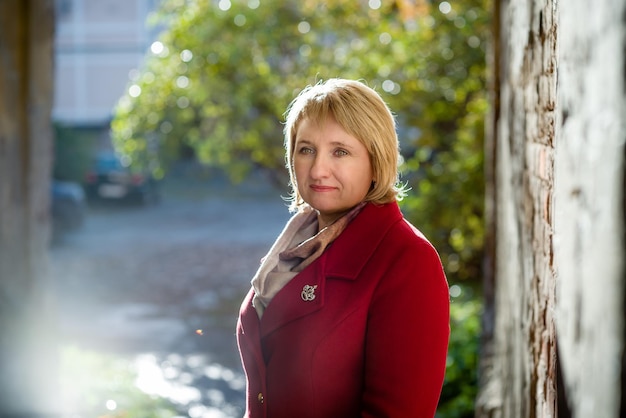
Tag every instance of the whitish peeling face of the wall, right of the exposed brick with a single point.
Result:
(588, 204)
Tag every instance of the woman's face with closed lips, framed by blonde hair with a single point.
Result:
(333, 169)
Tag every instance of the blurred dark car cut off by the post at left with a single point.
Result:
(67, 208)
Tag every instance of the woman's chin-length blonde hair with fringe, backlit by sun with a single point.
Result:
(362, 113)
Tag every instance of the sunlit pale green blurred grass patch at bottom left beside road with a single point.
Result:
(100, 385)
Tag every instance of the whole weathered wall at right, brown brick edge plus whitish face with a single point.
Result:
(557, 196)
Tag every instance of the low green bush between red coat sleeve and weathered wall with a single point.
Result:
(461, 382)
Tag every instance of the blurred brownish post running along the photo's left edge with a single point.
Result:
(27, 358)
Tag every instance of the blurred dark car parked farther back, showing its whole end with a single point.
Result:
(109, 179)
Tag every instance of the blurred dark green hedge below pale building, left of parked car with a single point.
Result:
(73, 148)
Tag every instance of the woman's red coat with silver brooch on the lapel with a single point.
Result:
(372, 343)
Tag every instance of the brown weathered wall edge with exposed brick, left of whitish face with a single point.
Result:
(524, 367)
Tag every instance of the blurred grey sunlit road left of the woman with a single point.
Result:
(160, 286)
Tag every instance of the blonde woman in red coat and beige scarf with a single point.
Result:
(348, 315)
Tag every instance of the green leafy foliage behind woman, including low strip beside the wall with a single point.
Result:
(220, 77)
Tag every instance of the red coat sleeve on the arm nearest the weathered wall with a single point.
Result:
(407, 334)
